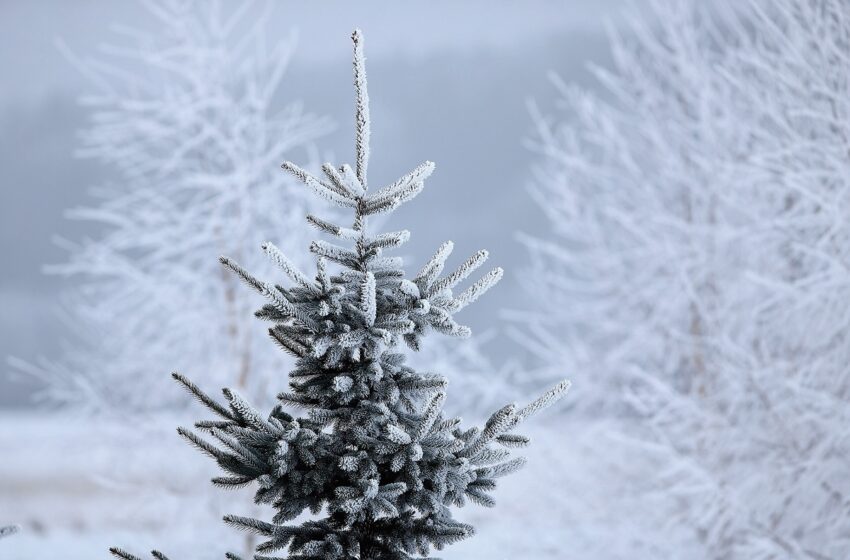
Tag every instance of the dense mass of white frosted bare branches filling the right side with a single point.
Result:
(698, 212)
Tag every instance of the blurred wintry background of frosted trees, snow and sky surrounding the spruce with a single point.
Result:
(673, 231)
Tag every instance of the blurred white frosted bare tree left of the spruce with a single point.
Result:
(188, 118)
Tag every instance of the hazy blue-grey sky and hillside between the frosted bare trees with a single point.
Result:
(449, 82)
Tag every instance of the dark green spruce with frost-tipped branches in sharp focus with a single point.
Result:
(375, 460)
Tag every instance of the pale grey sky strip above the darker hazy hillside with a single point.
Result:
(402, 30)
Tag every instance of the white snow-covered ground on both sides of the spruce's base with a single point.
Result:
(78, 488)
